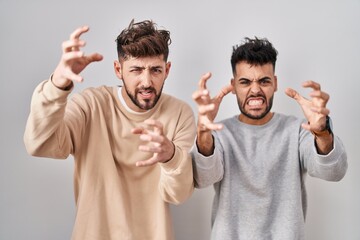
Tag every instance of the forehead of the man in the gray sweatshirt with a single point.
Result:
(244, 69)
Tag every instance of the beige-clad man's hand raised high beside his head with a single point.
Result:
(73, 60)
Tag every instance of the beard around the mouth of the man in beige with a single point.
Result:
(147, 103)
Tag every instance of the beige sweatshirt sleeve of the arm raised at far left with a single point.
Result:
(48, 133)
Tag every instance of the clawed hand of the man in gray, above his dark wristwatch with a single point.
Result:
(314, 109)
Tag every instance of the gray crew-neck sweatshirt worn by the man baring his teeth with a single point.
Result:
(258, 174)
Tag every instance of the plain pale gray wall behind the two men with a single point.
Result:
(317, 40)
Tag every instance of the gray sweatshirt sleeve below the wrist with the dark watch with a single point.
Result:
(330, 167)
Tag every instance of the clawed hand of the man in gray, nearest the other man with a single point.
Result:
(208, 107)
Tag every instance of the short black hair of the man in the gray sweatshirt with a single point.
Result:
(255, 52)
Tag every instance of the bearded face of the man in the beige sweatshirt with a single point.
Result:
(143, 80)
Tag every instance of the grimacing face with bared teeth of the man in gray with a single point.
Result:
(254, 86)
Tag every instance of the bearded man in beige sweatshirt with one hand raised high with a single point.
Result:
(130, 143)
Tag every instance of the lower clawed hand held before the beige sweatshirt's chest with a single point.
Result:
(156, 142)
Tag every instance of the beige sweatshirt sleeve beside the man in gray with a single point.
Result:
(176, 180)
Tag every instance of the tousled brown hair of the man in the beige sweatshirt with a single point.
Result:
(143, 39)
